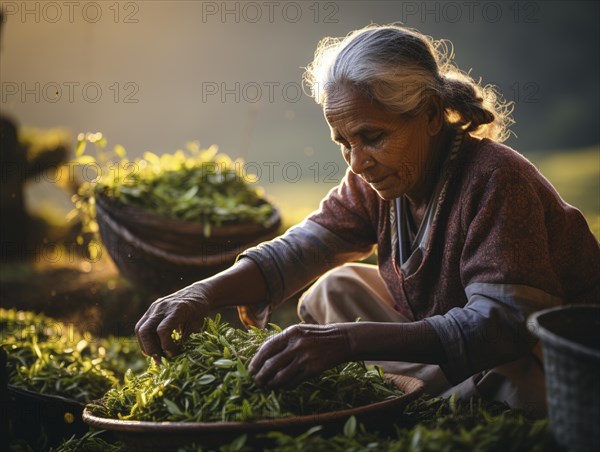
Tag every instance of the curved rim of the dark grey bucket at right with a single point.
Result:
(549, 338)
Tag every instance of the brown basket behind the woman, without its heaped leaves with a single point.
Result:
(163, 255)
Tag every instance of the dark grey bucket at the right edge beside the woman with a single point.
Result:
(570, 337)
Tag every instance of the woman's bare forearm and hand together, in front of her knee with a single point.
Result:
(303, 351)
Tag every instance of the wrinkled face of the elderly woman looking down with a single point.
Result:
(386, 150)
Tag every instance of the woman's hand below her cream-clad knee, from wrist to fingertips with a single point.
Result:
(300, 352)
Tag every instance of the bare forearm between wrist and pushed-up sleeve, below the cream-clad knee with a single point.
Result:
(413, 342)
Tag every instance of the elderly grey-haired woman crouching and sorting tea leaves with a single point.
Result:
(470, 237)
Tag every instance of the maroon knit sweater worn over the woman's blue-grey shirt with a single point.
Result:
(500, 222)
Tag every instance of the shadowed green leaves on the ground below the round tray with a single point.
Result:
(426, 424)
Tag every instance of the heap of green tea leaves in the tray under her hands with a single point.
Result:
(210, 382)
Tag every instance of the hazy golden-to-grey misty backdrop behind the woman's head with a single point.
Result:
(153, 75)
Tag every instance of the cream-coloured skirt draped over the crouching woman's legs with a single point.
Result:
(357, 290)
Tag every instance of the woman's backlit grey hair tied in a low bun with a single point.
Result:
(401, 69)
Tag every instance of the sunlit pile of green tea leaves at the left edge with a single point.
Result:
(50, 357)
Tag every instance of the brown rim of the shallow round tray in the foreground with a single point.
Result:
(411, 386)
